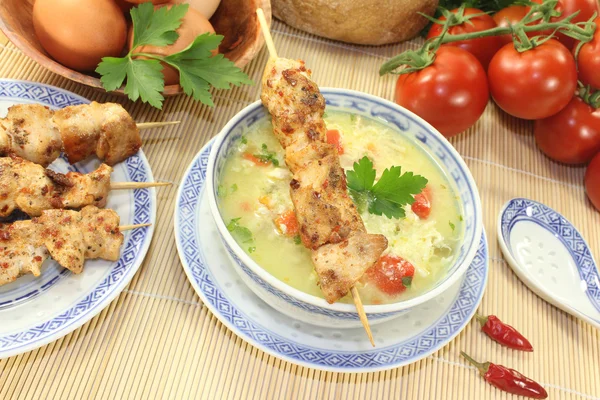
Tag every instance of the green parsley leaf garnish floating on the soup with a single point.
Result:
(389, 195)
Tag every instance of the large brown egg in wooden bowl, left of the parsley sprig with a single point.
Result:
(78, 33)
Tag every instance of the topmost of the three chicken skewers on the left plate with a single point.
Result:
(38, 134)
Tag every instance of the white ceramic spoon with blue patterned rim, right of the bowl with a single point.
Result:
(551, 257)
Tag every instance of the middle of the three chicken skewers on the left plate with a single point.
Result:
(32, 189)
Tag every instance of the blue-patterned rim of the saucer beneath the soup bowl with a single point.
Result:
(188, 223)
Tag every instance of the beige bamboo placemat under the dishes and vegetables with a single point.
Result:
(156, 340)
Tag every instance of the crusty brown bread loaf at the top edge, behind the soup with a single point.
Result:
(371, 22)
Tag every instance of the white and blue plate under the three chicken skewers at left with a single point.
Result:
(36, 311)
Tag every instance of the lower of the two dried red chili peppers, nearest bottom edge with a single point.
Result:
(508, 379)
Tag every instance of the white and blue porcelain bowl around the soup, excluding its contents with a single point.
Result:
(315, 310)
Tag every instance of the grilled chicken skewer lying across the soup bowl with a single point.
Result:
(330, 225)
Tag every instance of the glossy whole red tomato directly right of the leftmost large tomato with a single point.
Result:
(534, 84)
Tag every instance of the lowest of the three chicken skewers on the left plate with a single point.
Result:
(69, 237)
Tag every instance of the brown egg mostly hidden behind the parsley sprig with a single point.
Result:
(193, 25)
